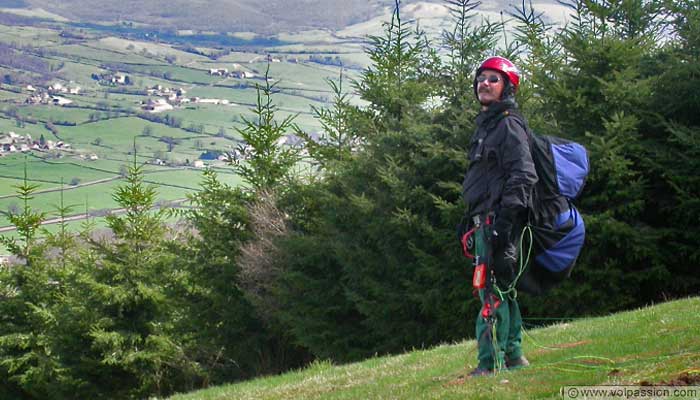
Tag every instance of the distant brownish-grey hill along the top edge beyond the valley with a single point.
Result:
(221, 15)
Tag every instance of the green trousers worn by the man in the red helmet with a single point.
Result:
(499, 324)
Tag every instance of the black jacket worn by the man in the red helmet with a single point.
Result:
(501, 173)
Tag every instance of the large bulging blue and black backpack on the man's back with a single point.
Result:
(558, 230)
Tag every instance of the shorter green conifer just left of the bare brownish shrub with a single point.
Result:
(225, 336)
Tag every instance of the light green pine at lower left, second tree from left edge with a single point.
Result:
(119, 309)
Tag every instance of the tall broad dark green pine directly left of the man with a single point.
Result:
(371, 265)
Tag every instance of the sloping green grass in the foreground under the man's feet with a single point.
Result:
(654, 344)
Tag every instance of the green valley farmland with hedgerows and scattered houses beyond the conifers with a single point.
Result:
(110, 77)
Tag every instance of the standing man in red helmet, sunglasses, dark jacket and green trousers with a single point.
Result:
(497, 189)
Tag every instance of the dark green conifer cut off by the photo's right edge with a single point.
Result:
(676, 189)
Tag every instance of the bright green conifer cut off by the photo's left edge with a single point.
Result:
(31, 364)
